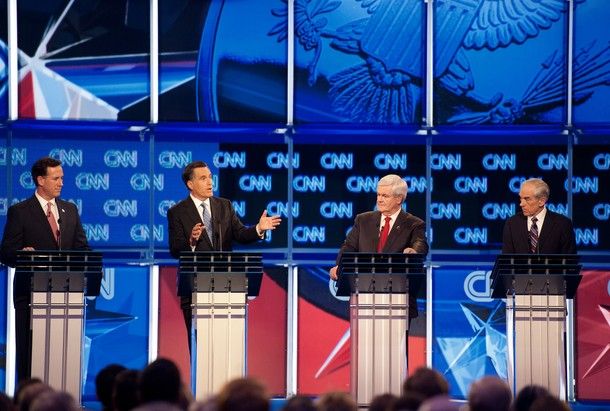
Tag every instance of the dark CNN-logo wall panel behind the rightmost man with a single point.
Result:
(476, 189)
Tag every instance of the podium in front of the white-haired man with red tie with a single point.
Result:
(379, 286)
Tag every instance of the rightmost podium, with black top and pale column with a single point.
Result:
(536, 287)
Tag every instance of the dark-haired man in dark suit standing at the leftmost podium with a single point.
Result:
(42, 222)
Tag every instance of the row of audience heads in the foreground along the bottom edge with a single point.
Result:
(159, 387)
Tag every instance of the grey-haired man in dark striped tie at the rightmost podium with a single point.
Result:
(536, 229)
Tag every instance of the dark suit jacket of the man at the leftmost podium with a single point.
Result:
(27, 226)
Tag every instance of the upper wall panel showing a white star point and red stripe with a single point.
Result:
(84, 60)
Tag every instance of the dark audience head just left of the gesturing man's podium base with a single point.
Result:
(160, 381)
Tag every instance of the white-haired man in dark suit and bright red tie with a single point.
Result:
(389, 229)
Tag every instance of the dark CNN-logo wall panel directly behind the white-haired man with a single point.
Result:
(335, 182)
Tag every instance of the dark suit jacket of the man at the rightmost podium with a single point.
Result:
(556, 236)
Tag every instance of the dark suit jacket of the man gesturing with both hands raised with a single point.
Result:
(227, 227)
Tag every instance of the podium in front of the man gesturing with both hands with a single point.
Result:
(219, 284)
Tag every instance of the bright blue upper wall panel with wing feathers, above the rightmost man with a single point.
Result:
(496, 63)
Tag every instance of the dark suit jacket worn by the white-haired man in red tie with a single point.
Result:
(407, 231)
